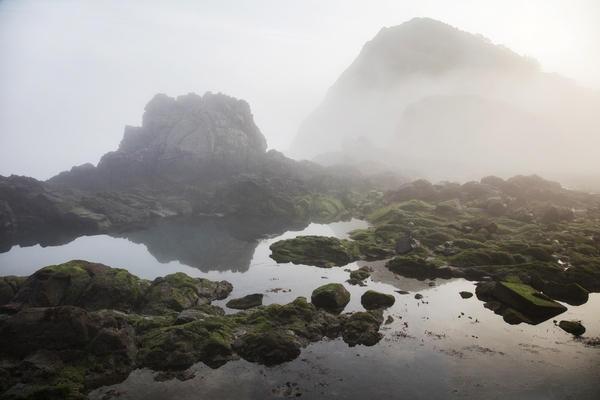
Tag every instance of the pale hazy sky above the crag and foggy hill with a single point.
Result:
(73, 73)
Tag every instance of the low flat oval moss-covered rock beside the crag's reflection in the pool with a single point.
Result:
(319, 251)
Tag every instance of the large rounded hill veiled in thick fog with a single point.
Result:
(393, 93)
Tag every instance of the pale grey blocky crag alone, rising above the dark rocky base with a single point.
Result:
(192, 139)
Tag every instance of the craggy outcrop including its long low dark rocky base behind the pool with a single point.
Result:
(192, 155)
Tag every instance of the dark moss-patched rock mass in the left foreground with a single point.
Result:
(60, 337)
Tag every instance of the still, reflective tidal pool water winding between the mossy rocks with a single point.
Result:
(438, 347)
